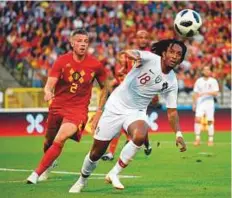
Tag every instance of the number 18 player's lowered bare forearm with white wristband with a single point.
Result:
(173, 119)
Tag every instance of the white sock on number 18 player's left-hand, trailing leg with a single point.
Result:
(87, 168)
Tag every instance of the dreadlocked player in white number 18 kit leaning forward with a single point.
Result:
(126, 107)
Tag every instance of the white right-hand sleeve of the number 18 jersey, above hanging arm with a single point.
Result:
(170, 98)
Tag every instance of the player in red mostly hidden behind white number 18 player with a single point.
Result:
(142, 41)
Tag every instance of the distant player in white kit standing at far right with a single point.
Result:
(205, 89)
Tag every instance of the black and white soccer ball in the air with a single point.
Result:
(187, 23)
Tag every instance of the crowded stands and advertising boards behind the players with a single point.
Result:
(33, 34)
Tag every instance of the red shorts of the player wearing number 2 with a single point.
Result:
(56, 119)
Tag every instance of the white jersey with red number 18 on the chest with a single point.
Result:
(142, 84)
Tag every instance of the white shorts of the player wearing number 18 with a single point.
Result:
(110, 124)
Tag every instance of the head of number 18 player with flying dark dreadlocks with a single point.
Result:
(172, 51)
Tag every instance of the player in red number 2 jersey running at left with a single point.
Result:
(69, 88)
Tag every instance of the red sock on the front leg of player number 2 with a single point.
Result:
(51, 154)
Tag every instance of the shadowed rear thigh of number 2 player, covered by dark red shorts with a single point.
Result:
(53, 125)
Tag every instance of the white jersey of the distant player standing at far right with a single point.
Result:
(203, 86)
